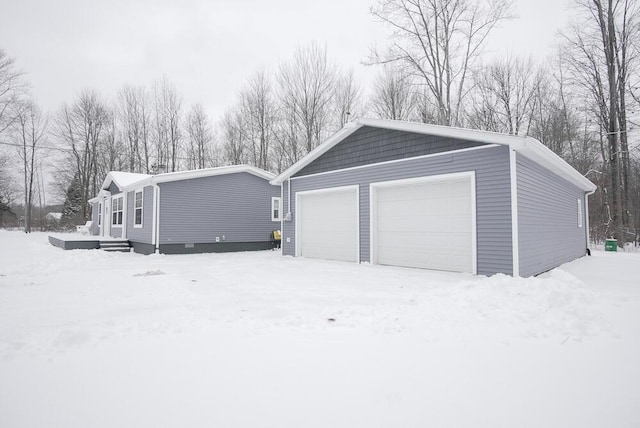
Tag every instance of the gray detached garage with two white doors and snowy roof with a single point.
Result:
(416, 195)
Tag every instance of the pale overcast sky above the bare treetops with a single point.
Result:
(209, 48)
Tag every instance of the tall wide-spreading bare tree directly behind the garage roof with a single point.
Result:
(438, 42)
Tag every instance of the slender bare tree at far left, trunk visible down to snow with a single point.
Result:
(29, 132)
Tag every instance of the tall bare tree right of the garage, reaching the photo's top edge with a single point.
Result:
(601, 50)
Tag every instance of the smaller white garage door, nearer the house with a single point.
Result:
(327, 224)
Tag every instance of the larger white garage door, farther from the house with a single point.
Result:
(425, 224)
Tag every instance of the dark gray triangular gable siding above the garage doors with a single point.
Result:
(370, 145)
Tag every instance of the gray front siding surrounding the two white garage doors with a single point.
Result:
(493, 198)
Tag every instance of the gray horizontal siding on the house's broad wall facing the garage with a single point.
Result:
(234, 206)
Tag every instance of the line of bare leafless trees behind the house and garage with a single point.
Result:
(582, 103)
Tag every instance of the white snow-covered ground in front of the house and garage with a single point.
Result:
(94, 339)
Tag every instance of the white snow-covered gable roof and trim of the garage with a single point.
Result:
(527, 146)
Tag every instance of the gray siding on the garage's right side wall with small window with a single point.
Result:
(547, 219)
